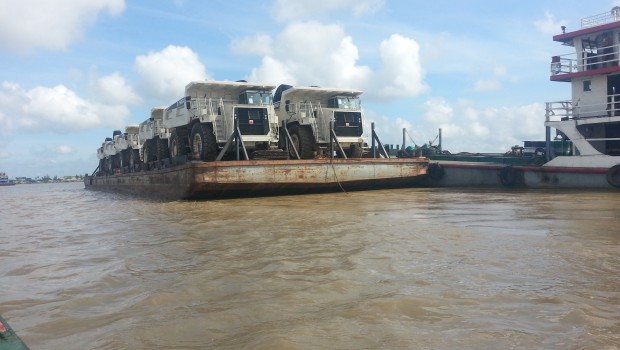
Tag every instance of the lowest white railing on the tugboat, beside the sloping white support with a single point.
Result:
(567, 110)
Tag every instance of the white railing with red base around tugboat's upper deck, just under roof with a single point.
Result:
(606, 56)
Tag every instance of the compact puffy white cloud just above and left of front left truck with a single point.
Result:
(165, 74)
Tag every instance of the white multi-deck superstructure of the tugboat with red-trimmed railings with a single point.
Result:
(590, 121)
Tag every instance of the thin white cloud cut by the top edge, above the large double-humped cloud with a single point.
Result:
(287, 10)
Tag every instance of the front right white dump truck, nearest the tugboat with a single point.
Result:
(308, 112)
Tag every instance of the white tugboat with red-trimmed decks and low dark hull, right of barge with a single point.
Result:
(585, 150)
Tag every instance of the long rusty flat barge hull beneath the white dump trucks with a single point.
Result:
(207, 180)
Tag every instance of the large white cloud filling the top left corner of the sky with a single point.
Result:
(27, 25)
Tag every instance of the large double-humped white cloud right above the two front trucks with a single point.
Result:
(312, 53)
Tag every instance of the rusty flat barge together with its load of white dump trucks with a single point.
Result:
(222, 140)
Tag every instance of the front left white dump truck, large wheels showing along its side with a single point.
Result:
(203, 121)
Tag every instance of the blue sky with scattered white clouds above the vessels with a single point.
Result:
(73, 71)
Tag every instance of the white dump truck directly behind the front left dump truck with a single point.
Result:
(154, 137)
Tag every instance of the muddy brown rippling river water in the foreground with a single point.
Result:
(394, 269)
